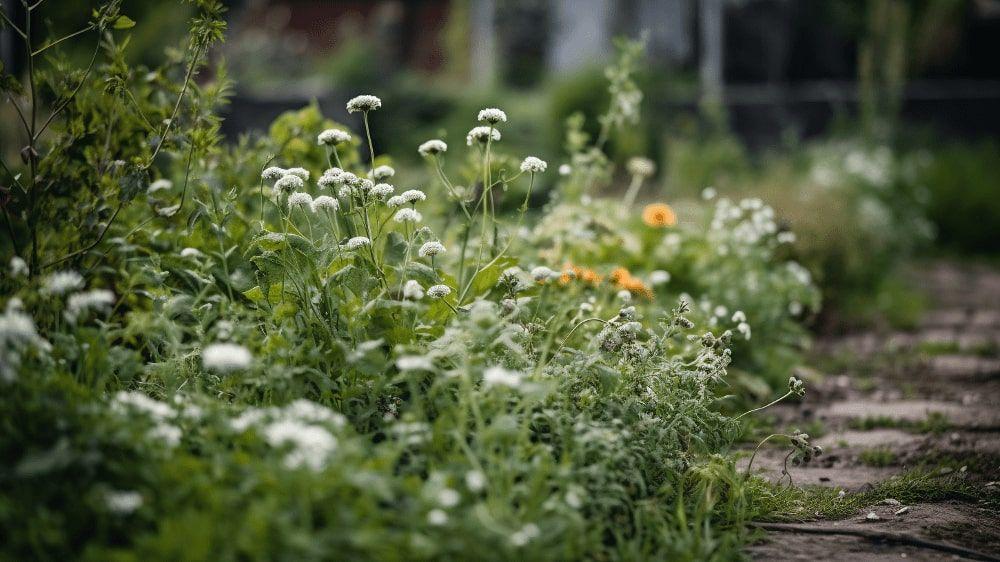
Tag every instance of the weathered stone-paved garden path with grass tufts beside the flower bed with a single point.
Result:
(893, 405)
